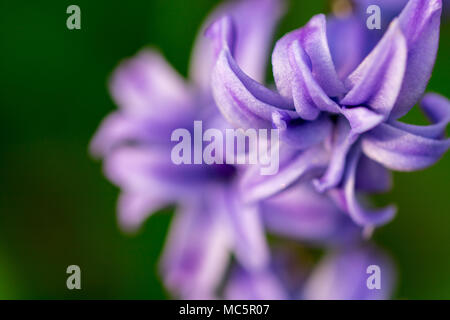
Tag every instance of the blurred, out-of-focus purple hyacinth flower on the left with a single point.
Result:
(135, 144)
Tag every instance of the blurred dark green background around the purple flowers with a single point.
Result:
(57, 209)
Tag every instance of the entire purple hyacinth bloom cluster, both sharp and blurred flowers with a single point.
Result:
(336, 106)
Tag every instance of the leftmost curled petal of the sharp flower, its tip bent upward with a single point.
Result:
(244, 102)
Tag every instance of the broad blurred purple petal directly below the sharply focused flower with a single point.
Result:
(302, 213)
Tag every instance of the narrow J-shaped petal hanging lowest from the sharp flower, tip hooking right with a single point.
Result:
(361, 216)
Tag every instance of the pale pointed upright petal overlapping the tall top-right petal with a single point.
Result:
(378, 79)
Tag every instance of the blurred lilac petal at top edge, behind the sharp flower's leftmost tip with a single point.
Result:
(255, 24)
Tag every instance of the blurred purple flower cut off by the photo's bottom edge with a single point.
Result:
(342, 274)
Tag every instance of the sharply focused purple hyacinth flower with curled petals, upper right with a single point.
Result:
(346, 130)
